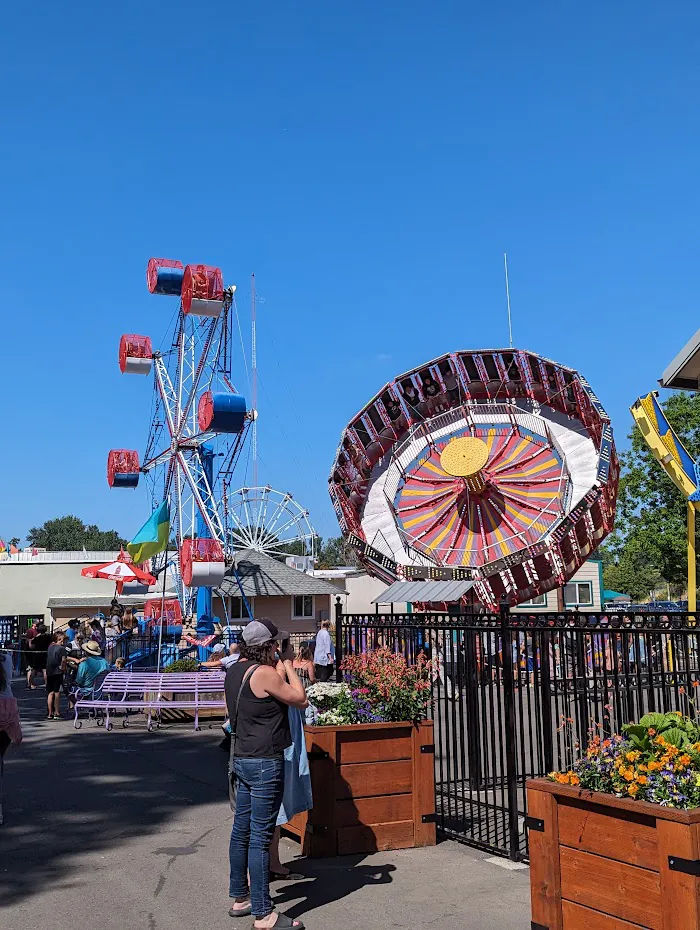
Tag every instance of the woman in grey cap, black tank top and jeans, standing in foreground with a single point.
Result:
(257, 700)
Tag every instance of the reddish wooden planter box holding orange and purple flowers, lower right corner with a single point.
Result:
(604, 863)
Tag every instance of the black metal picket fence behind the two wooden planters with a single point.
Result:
(517, 695)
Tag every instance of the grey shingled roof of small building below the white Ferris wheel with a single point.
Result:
(263, 576)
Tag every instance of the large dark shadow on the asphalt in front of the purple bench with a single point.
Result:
(69, 793)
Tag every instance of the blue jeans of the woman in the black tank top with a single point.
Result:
(259, 791)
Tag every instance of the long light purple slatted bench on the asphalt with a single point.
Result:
(122, 692)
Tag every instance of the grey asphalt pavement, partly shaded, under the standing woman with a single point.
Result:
(129, 830)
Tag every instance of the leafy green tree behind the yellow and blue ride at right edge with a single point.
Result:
(649, 542)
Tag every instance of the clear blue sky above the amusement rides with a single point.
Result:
(370, 162)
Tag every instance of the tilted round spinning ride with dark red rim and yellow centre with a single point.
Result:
(495, 467)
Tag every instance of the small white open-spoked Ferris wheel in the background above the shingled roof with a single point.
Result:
(271, 522)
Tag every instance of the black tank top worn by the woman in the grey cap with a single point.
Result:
(262, 729)
